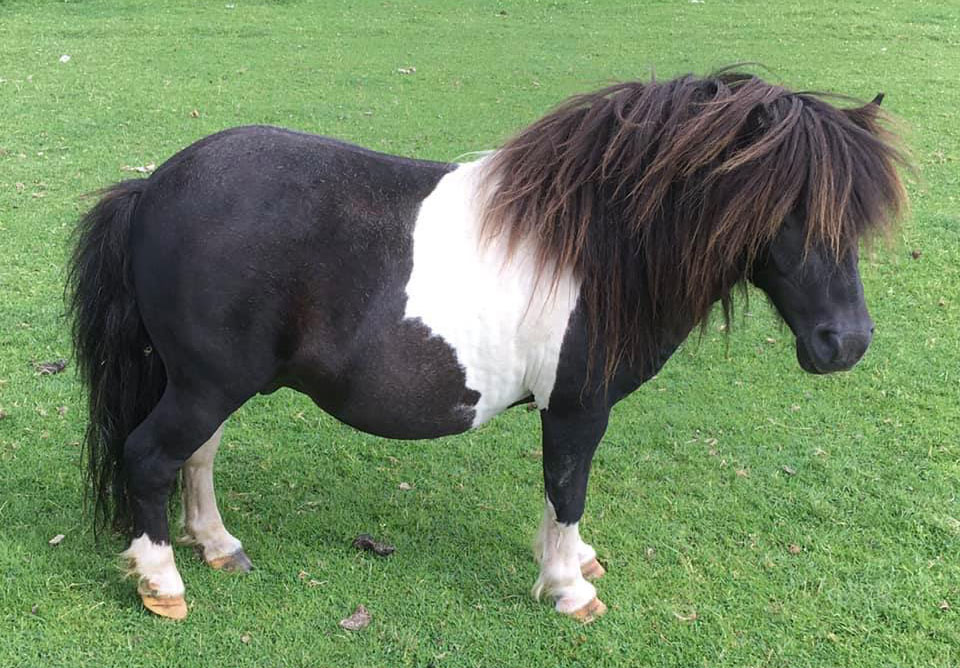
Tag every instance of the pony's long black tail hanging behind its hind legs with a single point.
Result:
(122, 376)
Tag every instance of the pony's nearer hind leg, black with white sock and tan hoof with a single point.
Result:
(178, 425)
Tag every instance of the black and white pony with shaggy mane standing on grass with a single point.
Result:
(414, 299)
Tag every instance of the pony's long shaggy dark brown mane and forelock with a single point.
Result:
(659, 195)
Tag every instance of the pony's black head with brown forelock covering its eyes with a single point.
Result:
(809, 269)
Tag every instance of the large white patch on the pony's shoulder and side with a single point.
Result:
(505, 327)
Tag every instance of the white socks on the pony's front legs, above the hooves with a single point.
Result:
(559, 551)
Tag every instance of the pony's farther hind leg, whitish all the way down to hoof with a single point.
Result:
(202, 525)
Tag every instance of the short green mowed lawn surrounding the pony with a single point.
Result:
(748, 514)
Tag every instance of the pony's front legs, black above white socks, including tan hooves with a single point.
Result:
(565, 560)
